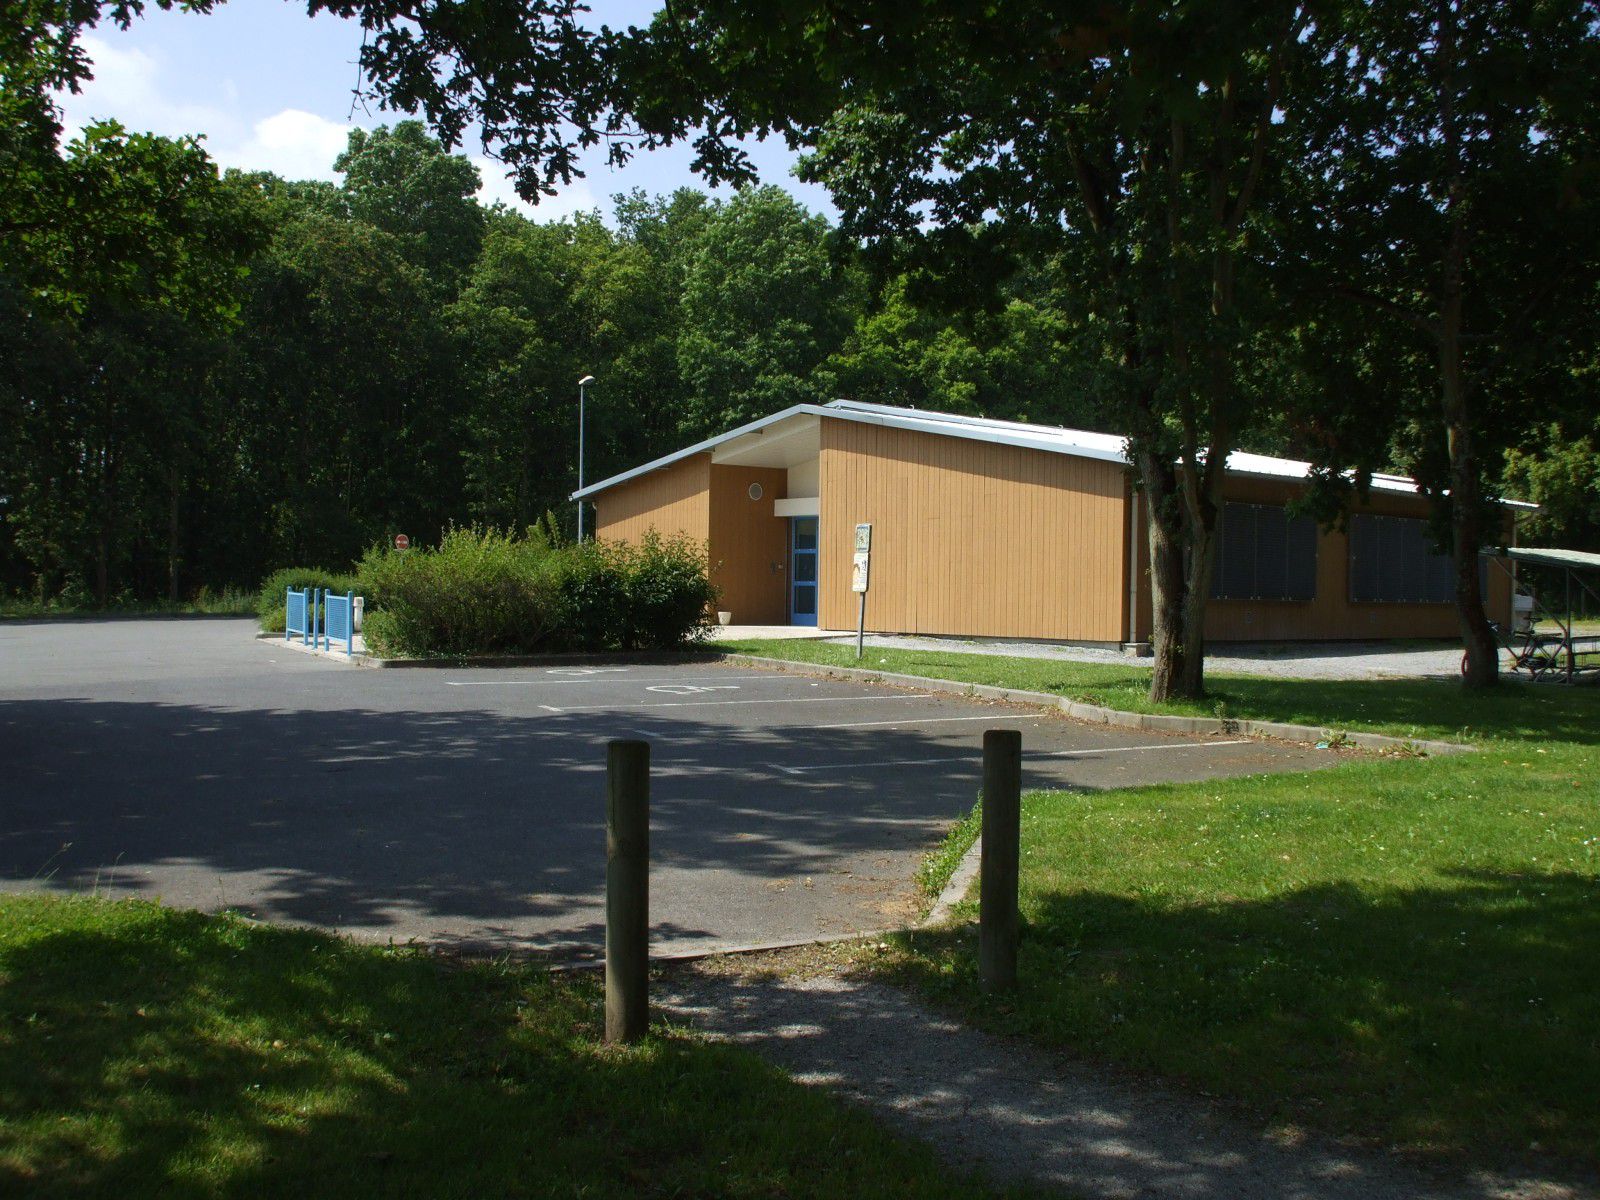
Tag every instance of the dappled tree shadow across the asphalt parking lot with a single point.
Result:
(466, 826)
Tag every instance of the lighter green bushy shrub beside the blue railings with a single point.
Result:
(479, 593)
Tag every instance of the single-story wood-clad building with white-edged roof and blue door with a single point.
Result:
(998, 529)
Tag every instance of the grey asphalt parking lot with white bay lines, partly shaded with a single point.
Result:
(186, 761)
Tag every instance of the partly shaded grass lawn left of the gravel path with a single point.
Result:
(151, 1052)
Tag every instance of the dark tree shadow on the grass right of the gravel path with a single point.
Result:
(1458, 1020)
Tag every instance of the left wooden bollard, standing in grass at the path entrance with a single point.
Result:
(626, 890)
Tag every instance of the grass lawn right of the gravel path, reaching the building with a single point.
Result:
(1399, 950)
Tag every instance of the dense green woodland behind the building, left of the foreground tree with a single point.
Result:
(305, 370)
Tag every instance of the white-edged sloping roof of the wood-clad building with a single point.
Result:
(1054, 439)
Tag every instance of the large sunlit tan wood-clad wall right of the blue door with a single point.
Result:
(970, 538)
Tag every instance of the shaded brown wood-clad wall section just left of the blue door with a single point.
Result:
(750, 546)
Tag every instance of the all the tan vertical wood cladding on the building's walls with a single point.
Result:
(986, 542)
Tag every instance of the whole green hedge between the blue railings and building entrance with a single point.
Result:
(492, 593)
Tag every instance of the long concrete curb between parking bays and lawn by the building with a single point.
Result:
(1100, 716)
